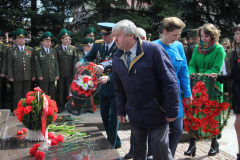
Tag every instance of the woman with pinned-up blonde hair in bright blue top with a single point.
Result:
(172, 28)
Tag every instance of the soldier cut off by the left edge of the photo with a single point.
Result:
(3, 60)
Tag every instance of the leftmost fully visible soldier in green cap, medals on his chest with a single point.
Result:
(21, 69)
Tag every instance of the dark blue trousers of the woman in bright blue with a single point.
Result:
(176, 129)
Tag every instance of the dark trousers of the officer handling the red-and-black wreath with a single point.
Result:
(108, 112)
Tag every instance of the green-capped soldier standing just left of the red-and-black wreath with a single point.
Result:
(66, 59)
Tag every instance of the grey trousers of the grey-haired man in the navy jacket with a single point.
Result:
(160, 143)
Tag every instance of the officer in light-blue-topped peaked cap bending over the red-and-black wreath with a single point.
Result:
(103, 51)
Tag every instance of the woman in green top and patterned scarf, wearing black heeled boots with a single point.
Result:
(207, 58)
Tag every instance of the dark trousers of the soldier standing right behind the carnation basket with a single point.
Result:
(48, 88)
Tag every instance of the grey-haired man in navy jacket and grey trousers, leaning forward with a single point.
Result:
(146, 89)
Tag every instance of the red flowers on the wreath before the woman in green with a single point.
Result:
(200, 114)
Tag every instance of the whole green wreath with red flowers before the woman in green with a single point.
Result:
(209, 111)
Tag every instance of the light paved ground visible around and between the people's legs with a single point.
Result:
(228, 142)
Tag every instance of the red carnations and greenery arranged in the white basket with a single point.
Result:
(30, 110)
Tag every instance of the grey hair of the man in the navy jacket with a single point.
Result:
(127, 26)
